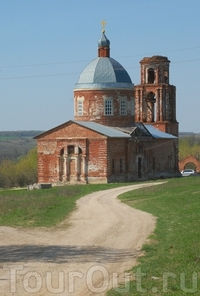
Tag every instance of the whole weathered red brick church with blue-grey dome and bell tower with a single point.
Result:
(120, 132)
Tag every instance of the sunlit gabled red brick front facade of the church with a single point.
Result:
(92, 144)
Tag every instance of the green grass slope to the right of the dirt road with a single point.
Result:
(171, 261)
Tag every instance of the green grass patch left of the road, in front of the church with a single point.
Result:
(42, 208)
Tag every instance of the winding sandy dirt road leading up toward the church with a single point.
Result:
(104, 239)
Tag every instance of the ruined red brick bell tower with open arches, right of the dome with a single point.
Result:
(155, 98)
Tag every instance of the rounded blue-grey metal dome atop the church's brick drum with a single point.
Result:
(104, 72)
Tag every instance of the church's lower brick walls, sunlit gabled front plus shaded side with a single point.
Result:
(102, 159)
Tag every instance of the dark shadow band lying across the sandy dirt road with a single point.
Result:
(63, 254)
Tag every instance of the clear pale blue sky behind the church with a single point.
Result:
(46, 44)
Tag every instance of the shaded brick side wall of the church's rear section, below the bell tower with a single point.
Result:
(158, 159)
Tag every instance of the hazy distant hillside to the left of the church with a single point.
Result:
(14, 144)
